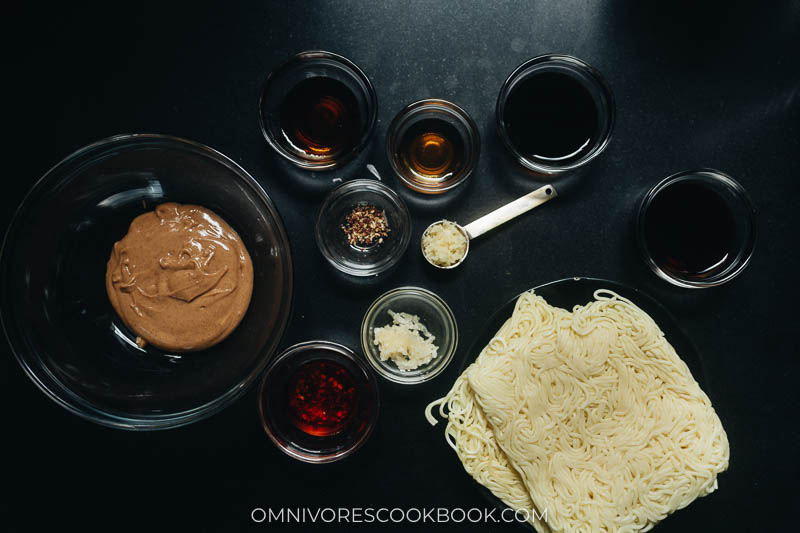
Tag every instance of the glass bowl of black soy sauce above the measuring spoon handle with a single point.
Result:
(555, 114)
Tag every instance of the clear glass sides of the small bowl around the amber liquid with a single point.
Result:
(450, 114)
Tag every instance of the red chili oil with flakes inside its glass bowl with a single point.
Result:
(322, 397)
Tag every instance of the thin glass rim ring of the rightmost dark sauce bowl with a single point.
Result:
(744, 254)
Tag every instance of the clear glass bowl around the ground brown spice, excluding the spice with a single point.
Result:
(332, 240)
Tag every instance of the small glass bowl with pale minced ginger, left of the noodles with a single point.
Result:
(409, 335)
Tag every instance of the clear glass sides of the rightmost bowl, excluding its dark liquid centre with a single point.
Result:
(741, 208)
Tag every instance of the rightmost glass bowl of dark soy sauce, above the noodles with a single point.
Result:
(697, 228)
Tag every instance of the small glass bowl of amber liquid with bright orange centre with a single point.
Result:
(433, 146)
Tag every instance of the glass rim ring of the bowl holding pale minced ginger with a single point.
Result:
(441, 362)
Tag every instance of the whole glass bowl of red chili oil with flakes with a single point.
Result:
(318, 401)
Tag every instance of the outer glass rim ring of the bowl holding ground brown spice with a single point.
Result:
(353, 187)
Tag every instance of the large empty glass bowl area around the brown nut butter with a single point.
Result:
(55, 308)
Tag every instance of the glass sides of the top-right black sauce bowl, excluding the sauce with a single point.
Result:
(591, 79)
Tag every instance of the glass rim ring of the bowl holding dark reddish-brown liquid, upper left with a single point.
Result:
(372, 100)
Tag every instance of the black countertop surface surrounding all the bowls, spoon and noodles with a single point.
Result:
(714, 86)
